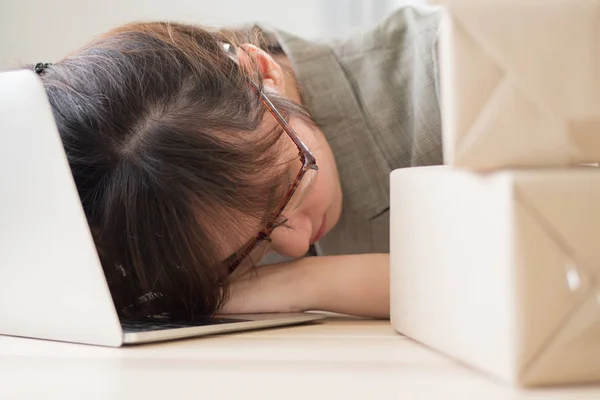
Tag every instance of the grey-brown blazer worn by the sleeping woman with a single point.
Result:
(375, 97)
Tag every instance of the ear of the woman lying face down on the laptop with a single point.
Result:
(252, 57)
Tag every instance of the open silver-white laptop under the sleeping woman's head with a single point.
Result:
(52, 285)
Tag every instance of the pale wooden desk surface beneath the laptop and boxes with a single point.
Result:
(342, 358)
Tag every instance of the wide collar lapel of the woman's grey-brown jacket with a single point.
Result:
(330, 99)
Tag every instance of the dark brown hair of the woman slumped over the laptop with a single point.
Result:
(162, 135)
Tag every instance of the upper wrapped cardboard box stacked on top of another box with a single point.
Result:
(520, 82)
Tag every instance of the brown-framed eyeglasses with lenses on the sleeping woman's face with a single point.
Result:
(256, 248)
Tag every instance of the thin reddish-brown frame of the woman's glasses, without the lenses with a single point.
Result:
(306, 157)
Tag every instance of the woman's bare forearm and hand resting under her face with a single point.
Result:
(351, 284)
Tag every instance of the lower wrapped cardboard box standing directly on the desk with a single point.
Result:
(500, 271)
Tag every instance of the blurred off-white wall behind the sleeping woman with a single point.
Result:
(46, 30)
